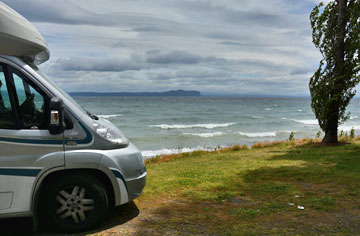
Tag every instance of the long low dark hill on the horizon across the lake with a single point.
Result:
(149, 94)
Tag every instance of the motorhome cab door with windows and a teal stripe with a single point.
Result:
(26, 147)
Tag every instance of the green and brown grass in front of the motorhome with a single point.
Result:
(254, 191)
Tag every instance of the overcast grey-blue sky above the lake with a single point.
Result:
(218, 47)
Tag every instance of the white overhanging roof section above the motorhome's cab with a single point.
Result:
(20, 38)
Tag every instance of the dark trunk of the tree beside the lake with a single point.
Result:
(331, 130)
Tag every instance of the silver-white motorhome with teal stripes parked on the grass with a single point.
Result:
(56, 159)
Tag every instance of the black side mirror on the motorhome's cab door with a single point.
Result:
(57, 123)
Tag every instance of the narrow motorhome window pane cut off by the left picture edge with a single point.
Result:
(7, 120)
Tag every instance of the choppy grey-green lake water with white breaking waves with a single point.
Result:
(163, 125)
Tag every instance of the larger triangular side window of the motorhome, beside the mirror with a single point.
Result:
(30, 101)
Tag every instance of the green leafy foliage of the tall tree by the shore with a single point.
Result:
(332, 85)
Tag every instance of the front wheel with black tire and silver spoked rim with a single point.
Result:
(75, 202)
